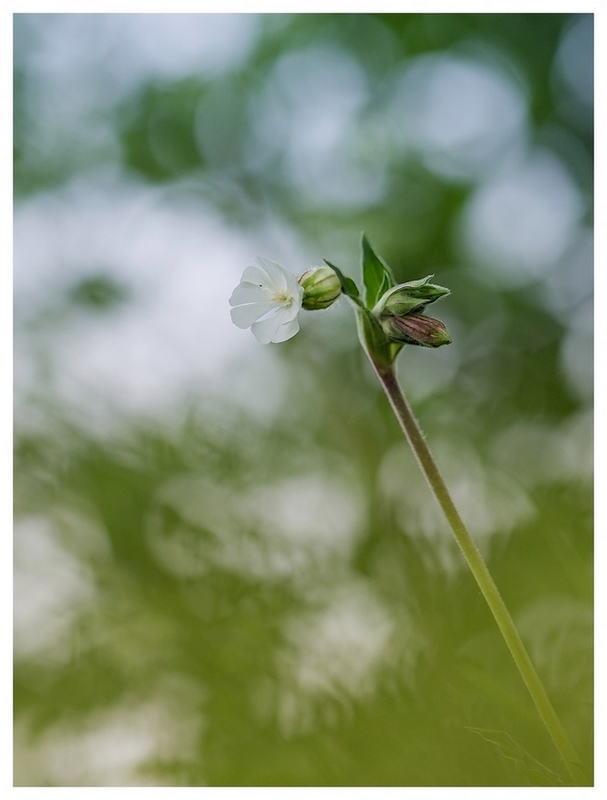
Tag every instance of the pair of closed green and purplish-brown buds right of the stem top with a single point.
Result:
(400, 314)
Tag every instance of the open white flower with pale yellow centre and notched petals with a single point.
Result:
(267, 300)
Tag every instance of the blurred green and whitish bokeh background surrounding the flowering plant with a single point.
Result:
(228, 570)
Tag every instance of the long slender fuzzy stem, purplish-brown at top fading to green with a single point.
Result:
(387, 377)
